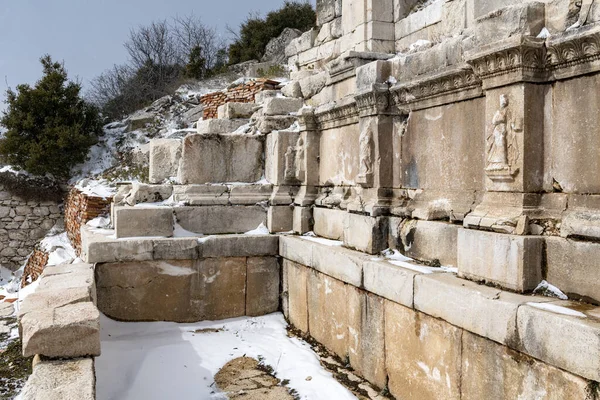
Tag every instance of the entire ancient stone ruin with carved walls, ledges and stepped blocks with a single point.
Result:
(444, 153)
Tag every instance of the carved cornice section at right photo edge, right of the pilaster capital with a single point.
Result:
(574, 53)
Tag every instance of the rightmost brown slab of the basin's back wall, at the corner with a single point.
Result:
(262, 286)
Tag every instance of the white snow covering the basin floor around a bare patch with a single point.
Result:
(161, 360)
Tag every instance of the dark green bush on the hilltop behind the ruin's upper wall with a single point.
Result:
(255, 33)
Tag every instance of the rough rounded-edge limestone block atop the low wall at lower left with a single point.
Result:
(66, 332)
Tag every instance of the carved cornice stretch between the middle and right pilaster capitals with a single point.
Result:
(448, 86)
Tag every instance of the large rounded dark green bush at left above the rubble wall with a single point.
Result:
(50, 128)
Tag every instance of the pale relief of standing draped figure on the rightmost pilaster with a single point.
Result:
(502, 147)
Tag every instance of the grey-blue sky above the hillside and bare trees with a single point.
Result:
(89, 34)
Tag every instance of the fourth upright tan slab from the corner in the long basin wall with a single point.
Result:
(423, 357)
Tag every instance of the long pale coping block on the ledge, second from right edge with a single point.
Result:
(480, 309)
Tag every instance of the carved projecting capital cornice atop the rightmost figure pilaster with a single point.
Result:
(518, 59)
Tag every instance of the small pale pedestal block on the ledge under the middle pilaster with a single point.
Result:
(365, 233)
